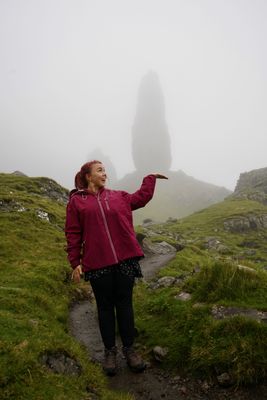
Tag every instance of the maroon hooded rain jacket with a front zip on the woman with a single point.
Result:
(99, 227)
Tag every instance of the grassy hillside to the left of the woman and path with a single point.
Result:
(35, 293)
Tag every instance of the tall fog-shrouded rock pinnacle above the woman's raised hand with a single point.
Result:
(150, 137)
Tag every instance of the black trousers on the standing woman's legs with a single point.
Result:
(113, 293)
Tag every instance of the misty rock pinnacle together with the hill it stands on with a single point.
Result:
(181, 195)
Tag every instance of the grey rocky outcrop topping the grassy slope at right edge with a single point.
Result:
(252, 185)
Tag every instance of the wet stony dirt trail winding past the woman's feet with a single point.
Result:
(154, 383)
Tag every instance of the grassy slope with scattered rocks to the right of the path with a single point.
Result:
(222, 266)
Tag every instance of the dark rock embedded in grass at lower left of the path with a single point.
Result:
(61, 363)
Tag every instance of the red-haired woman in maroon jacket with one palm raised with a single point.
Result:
(101, 242)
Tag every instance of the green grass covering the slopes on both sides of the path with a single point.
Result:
(35, 294)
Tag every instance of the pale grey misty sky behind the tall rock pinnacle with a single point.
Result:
(70, 72)
